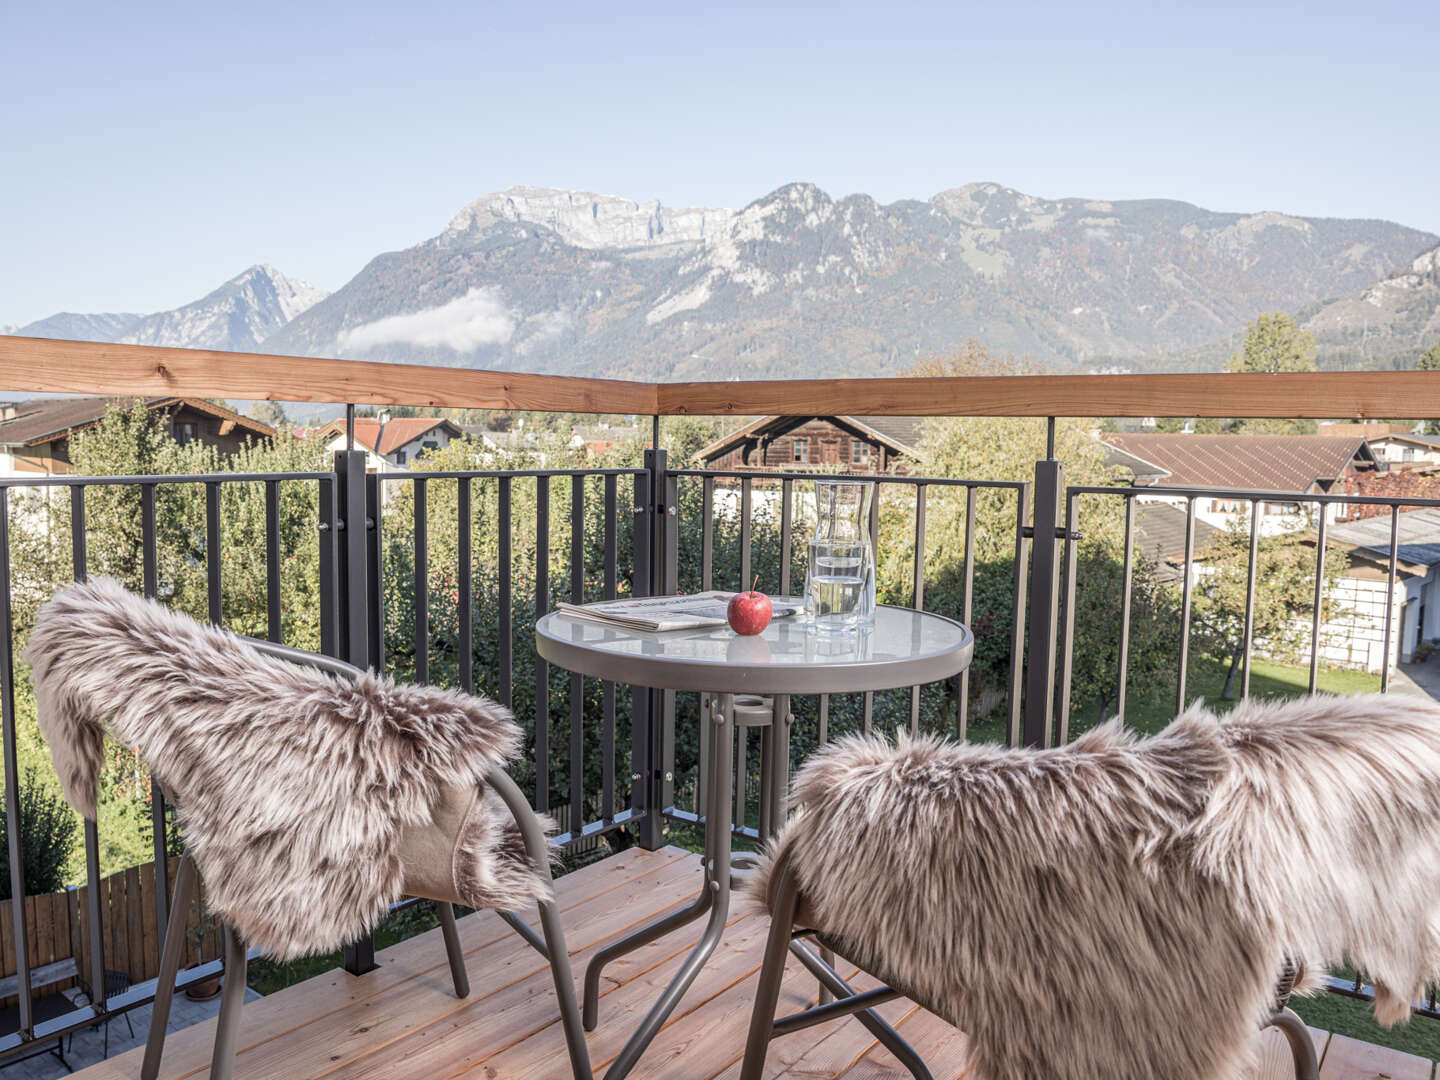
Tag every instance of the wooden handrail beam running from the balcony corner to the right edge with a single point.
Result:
(1323, 395)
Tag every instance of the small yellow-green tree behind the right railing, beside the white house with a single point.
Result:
(1285, 595)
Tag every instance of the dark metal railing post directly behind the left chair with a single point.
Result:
(355, 574)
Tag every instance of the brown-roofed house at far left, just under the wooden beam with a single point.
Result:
(35, 434)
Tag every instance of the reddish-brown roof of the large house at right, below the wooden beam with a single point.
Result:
(1249, 463)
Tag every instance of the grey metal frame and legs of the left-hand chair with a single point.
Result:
(549, 942)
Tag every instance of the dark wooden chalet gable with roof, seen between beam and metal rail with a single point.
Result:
(800, 444)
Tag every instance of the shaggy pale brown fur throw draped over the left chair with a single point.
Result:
(293, 788)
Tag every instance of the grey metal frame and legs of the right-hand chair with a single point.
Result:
(786, 940)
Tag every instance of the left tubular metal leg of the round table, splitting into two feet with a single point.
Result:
(716, 891)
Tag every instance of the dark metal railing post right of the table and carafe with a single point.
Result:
(1045, 600)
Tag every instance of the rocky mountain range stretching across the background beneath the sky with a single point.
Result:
(801, 284)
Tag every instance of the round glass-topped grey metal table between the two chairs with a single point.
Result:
(902, 649)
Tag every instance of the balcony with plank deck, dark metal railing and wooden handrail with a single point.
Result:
(438, 575)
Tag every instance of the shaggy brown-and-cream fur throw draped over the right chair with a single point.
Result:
(1121, 908)
